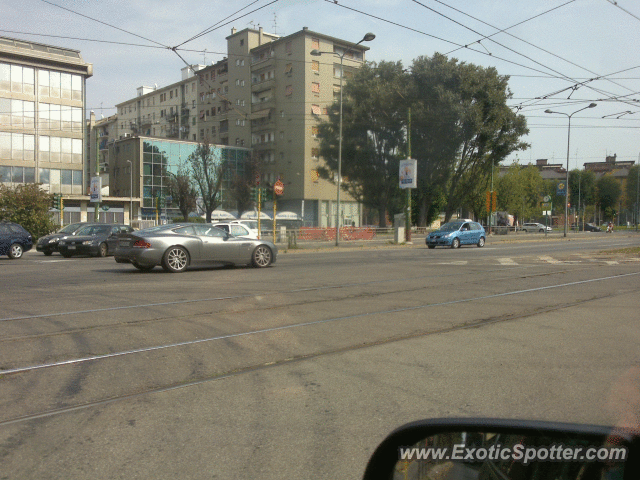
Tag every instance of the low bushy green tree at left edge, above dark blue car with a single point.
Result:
(27, 205)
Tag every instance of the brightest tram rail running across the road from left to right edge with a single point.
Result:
(91, 358)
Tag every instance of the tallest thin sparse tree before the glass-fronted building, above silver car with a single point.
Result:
(207, 172)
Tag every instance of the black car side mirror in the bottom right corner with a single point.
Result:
(487, 449)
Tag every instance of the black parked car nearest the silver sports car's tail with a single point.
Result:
(98, 239)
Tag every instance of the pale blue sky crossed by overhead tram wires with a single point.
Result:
(560, 55)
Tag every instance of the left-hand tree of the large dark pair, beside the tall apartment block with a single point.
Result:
(374, 115)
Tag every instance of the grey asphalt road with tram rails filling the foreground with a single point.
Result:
(299, 370)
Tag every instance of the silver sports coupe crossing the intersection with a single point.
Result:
(176, 246)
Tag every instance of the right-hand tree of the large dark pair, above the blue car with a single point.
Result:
(462, 127)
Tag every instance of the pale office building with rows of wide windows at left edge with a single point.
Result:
(42, 104)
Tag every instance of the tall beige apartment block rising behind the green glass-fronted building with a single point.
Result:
(269, 94)
